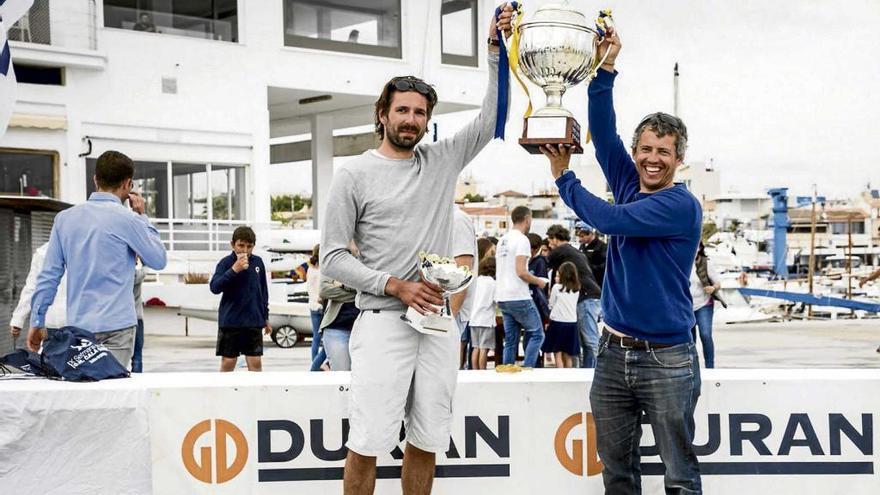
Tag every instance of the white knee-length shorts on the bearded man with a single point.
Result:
(399, 374)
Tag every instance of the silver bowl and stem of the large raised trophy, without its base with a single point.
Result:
(556, 52)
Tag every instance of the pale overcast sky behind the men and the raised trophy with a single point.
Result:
(776, 94)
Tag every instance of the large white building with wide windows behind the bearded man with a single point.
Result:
(193, 91)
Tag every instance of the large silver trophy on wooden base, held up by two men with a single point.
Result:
(557, 50)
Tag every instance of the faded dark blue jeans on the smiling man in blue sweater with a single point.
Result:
(664, 384)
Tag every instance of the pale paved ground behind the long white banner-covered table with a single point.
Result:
(796, 344)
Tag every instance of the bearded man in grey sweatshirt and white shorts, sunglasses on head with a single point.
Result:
(394, 202)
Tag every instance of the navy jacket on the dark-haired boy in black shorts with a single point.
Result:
(245, 301)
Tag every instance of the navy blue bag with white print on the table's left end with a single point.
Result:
(69, 354)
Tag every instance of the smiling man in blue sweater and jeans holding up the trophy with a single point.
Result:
(647, 362)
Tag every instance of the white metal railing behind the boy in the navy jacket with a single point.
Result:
(191, 234)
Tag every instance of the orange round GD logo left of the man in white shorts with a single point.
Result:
(202, 469)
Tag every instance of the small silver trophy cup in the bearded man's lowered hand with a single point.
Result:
(451, 278)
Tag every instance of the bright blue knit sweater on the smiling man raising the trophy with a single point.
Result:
(653, 236)
